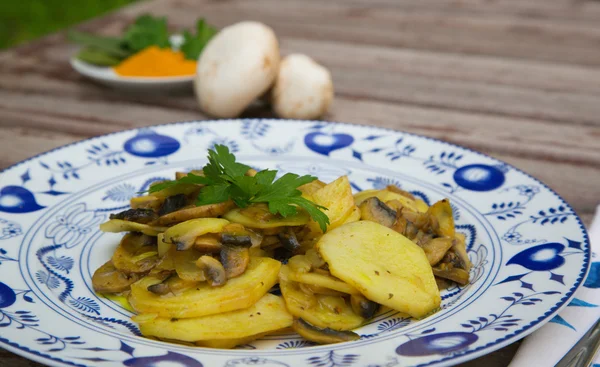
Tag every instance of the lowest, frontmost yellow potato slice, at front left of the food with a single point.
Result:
(267, 314)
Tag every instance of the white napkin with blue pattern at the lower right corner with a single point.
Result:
(547, 345)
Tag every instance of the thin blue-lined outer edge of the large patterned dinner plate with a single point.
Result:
(470, 354)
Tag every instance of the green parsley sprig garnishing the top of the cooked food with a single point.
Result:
(225, 178)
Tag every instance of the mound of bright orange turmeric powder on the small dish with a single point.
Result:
(155, 61)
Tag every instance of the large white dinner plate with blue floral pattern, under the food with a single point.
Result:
(529, 249)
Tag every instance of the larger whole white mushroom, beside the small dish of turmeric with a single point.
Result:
(236, 67)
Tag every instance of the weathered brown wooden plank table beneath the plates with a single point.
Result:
(516, 79)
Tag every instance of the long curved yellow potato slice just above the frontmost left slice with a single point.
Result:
(237, 293)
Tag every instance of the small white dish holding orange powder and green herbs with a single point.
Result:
(107, 76)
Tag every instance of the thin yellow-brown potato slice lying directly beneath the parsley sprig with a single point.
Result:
(257, 216)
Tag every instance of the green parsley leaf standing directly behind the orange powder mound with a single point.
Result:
(147, 31)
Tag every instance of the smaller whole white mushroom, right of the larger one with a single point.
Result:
(303, 89)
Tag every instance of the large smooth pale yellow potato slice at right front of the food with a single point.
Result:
(383, 265)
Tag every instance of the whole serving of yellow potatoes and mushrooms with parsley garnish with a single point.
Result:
(201, 254)
